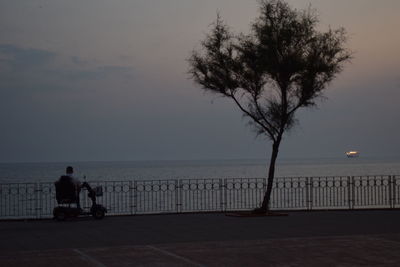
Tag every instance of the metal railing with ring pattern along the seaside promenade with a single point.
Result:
(37, 200)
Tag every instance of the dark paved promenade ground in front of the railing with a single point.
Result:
(330, 238)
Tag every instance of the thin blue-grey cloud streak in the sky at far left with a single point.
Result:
(36, 69)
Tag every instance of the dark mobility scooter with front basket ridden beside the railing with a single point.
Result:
(68, 199)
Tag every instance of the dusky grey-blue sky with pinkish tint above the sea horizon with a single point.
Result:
(98, 80)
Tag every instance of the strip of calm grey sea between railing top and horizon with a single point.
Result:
(200, 169)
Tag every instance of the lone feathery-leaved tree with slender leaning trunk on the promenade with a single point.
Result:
(282, 65)
